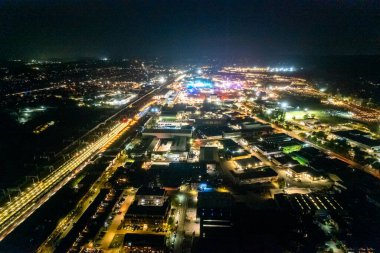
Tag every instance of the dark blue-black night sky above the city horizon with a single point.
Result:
(183, 28)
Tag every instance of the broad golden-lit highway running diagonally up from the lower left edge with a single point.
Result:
(22, 206)
